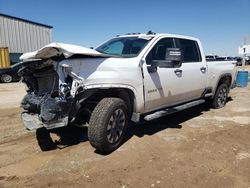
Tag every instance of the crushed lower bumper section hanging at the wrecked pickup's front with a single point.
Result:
(45, 112)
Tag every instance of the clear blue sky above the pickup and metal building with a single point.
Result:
(219, 24)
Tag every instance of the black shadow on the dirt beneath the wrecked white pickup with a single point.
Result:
(71, 135)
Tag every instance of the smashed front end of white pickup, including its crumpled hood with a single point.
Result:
(55, 92)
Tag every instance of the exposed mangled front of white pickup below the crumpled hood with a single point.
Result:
(48, 102)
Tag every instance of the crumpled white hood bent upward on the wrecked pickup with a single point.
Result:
(57, 49)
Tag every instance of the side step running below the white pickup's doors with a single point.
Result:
(172, 110)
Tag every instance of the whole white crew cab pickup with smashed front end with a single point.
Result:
(130, 77)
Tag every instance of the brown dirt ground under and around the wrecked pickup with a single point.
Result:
(199, 147)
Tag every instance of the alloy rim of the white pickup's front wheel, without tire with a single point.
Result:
(115, 126)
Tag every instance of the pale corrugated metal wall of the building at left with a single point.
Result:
(20, 36)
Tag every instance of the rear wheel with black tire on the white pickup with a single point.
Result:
(220, 97)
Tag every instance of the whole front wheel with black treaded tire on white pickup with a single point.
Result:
(108, 124)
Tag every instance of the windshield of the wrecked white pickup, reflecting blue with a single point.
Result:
(123, 46)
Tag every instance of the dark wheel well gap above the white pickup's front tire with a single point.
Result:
(98, 94)
